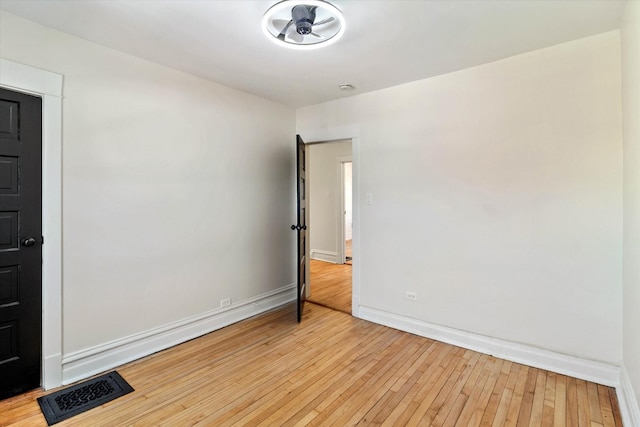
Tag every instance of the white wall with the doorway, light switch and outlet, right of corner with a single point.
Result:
(497, 197)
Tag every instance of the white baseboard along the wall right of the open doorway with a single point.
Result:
(590, 370)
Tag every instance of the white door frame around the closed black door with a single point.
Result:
(48, 86)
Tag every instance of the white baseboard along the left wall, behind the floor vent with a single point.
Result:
(85, 363)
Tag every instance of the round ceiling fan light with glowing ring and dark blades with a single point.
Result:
(303, 24)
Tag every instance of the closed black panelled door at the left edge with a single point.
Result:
(20, 242)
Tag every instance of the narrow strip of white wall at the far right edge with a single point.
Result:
(631, 114)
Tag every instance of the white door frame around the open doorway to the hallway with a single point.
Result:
(351, 132)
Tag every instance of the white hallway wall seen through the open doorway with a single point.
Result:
(324, 197)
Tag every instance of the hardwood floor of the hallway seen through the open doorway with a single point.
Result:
(331, 285)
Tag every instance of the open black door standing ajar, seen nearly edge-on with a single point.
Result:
(301, 226)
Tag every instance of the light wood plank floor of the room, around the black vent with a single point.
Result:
(333, 369)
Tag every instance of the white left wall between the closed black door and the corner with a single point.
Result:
(172, 185)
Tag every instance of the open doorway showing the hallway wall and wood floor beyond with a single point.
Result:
(329, 207)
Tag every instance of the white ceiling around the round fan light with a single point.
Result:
(386, 43)
